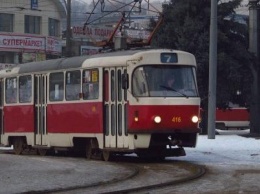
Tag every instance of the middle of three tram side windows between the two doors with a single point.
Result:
(72, 85)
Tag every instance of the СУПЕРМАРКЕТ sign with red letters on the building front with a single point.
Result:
(28, 43)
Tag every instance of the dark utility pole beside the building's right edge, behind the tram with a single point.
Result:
(68, 31)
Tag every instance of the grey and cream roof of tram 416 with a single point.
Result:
(82, 61)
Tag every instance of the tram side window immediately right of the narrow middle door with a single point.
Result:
(56, 86)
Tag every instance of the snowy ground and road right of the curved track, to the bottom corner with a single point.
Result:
(232, 162)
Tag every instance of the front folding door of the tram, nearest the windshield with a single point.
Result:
(115, 99)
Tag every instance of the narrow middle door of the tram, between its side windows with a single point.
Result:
(40, 99)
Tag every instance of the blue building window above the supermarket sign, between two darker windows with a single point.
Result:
(32, 24)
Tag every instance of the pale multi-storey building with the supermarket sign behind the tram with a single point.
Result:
(30, 30)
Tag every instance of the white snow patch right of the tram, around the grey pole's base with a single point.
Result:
(228, 146)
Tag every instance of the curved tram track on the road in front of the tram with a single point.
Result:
(143, 177)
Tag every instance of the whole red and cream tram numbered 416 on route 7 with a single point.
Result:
(107, 103)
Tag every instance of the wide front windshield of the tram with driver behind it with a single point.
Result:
(164, 81)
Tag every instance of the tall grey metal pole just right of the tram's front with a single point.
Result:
(212, 70)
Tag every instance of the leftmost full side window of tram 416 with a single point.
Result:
(11, 90)
